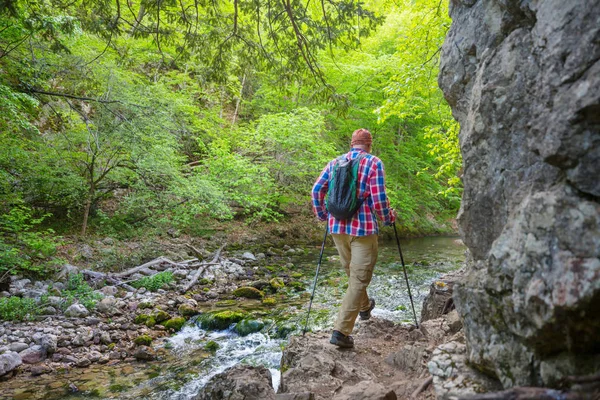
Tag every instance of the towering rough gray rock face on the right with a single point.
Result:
(523, 79)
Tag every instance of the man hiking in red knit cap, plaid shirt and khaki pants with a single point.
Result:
(356, 238)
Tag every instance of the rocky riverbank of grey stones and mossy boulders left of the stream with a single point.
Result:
(121, 323)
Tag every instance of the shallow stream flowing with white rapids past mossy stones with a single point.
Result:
(185, 366)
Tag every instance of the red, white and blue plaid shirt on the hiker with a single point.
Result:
(371, 179)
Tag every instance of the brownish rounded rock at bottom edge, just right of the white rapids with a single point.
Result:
(241, 382)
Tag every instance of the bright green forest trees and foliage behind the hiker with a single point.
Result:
(123, 115)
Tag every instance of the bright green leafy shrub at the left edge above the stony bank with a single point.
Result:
(22, 248)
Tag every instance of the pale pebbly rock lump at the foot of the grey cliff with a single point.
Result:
(452, 378)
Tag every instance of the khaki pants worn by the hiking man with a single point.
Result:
(358, 255)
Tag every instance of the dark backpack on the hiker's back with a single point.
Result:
(342, 197)
